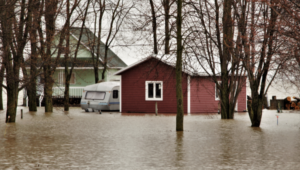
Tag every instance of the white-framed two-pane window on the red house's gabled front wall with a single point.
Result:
(154, 90)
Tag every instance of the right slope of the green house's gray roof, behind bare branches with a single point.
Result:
(87, 40)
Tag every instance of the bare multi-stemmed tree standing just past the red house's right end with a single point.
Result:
(261, 50)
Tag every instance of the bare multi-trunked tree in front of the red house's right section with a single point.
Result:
(211, 49)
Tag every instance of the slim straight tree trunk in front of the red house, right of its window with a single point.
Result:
(179, 96)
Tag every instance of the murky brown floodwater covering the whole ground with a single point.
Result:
(79, 140)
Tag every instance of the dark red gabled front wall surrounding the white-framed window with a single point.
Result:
(133, 88)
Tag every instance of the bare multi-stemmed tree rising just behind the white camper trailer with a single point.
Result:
(113, 13)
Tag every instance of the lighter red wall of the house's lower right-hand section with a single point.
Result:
(203, 96)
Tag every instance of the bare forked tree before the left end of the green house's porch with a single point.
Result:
(52, 9)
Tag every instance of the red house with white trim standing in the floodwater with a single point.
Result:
(152, 80)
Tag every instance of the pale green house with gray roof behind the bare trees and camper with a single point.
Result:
(83, 73)
